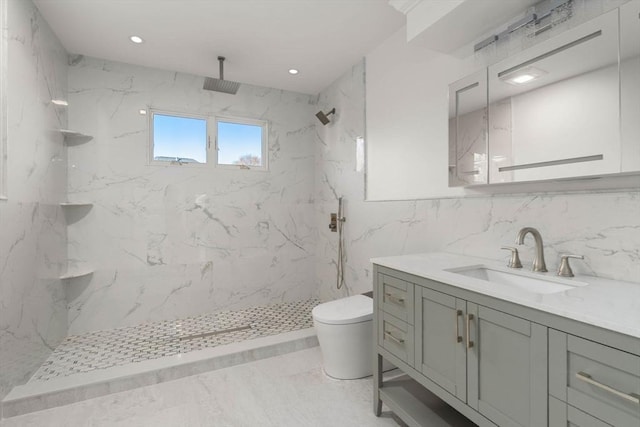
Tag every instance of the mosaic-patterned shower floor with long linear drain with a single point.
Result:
(105, 349)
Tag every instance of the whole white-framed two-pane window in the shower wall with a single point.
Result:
(186, 139)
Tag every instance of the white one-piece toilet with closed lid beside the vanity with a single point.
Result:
(345, 333)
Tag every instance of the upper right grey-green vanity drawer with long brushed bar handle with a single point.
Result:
(599, 380)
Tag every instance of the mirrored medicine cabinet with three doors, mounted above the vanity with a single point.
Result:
(568, 107)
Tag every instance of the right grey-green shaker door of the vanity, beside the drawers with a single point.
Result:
(507, 367)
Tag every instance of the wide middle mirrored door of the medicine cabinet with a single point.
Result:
(554, 108)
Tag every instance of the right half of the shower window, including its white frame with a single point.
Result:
(241, 143)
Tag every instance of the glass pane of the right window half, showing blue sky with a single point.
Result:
(239, 144)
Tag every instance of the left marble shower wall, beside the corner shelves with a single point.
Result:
(33, 313)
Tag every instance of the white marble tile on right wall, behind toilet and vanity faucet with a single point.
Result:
(604, 227)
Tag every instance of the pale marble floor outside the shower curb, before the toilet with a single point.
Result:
(288, 390)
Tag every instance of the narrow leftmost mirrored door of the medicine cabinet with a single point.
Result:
(468, 130)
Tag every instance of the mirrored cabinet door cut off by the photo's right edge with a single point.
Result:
(630, 85)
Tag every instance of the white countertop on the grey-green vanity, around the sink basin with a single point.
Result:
(606, 303)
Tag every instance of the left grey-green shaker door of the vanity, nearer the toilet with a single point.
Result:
(440, 354)
